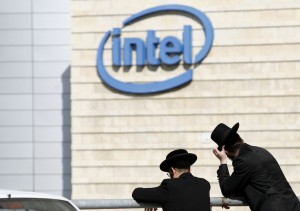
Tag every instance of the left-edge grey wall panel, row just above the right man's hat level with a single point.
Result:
(16, 118)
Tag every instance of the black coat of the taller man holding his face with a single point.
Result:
(258, 177)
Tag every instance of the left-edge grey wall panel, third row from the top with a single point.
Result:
(15, 37)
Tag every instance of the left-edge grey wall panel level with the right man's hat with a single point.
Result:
(15, 134)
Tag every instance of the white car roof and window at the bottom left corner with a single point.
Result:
(11, 200)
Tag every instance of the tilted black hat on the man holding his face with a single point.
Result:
(224, 135)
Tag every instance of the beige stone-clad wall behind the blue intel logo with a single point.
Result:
(251, 76)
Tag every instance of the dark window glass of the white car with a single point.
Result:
(25, 204)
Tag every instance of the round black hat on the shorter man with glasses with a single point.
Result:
(175, 157)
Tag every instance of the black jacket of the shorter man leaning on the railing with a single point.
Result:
(186, 193)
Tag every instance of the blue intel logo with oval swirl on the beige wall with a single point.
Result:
(155, 50)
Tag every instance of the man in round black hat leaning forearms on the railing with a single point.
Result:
(183, 191)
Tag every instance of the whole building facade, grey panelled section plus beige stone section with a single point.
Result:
(66, 129)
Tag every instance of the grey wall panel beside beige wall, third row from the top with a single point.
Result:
(52, 37)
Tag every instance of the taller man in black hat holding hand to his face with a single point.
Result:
(257, 176)
